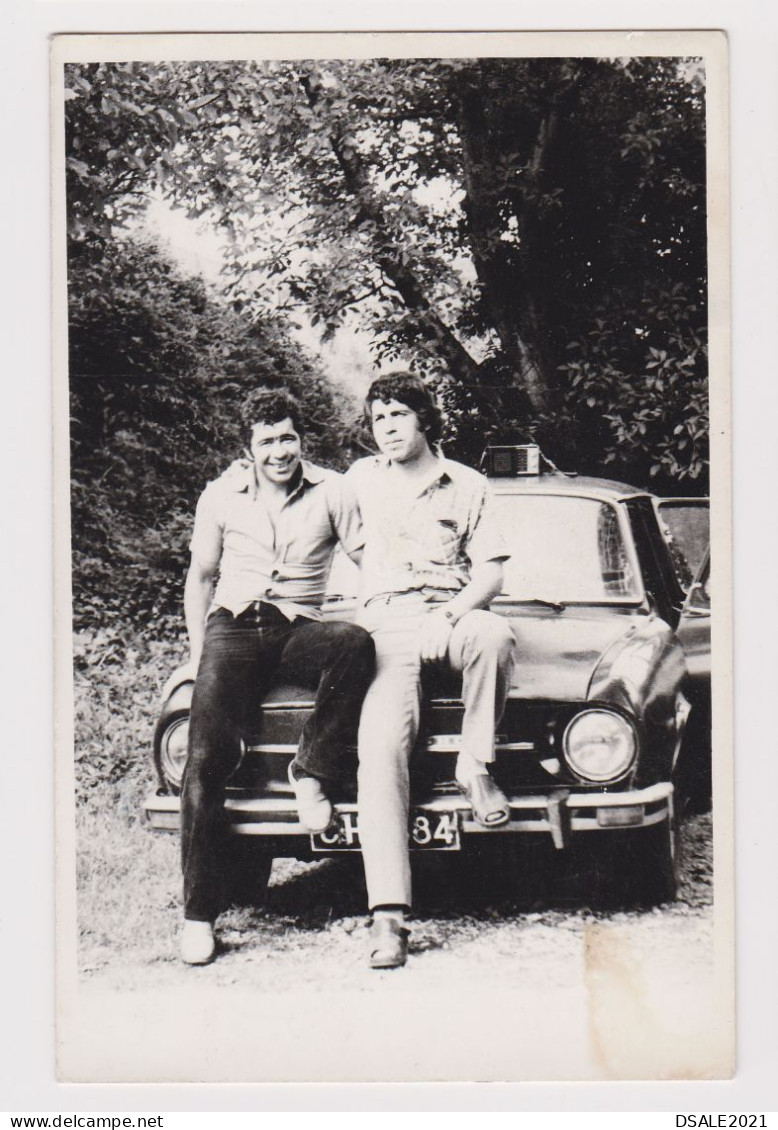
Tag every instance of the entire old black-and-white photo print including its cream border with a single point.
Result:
(386, 370)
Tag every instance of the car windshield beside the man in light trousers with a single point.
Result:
(566, 550)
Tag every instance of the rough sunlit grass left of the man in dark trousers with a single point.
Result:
(128, 879)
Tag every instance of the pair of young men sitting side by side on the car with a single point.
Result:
(422, 529)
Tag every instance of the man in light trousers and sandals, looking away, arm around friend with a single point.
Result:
(431, 566)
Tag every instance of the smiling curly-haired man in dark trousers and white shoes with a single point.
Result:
(269, 529)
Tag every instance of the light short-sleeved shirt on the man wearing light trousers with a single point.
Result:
(427, 542)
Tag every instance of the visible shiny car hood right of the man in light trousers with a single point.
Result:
(558, 655)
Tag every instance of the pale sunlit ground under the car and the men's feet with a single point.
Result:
(534, 924)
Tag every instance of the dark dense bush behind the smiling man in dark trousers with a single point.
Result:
(159, 368)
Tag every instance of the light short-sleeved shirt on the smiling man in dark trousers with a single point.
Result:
(282, 558)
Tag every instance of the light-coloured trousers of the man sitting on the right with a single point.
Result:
(481, 648)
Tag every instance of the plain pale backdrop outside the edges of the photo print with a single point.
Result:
(755, 164)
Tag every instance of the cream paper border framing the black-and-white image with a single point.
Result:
(295, 1041)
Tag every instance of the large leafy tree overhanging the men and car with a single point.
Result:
(486, 218)
